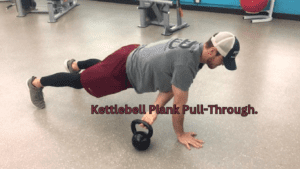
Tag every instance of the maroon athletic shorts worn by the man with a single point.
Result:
(110, 76)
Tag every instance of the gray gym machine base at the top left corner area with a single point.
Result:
(56, 8)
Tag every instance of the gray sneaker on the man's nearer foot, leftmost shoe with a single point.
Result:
(36, 94)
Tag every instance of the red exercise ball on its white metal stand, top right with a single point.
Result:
(256, 6)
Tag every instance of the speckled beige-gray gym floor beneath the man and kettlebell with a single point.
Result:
(66, 135)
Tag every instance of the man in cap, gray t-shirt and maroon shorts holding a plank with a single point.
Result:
(168, 66)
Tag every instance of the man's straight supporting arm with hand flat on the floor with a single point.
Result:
(185, 138)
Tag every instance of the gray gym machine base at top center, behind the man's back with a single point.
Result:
(160, 15)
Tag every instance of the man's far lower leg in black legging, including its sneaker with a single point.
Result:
(73, 66)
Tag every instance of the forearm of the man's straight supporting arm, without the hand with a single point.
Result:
(177, 120)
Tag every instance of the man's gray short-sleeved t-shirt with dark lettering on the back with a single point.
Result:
(159, 65)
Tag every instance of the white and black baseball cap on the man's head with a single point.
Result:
(228, 46)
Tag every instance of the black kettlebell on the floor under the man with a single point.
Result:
(140, 139)
